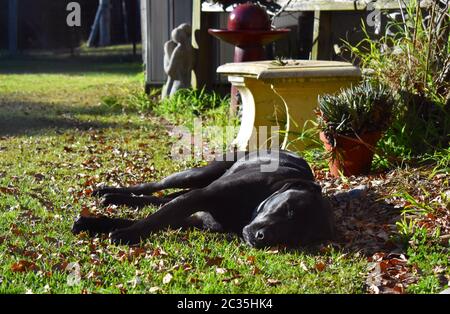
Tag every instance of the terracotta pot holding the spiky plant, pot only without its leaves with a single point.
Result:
(351, 156)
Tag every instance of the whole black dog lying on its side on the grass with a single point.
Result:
(268, 208)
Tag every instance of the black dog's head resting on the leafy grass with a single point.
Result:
(297, 214)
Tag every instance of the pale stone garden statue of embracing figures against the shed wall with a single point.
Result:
(178, 60)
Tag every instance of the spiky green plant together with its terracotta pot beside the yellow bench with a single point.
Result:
(351, 123)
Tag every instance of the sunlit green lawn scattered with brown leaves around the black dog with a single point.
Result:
(58, 140)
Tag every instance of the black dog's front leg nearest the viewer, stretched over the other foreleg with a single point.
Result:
(172, 214)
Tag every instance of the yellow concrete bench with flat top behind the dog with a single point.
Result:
(284, 95)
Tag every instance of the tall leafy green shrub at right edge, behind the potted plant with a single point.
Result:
(412, 58)
